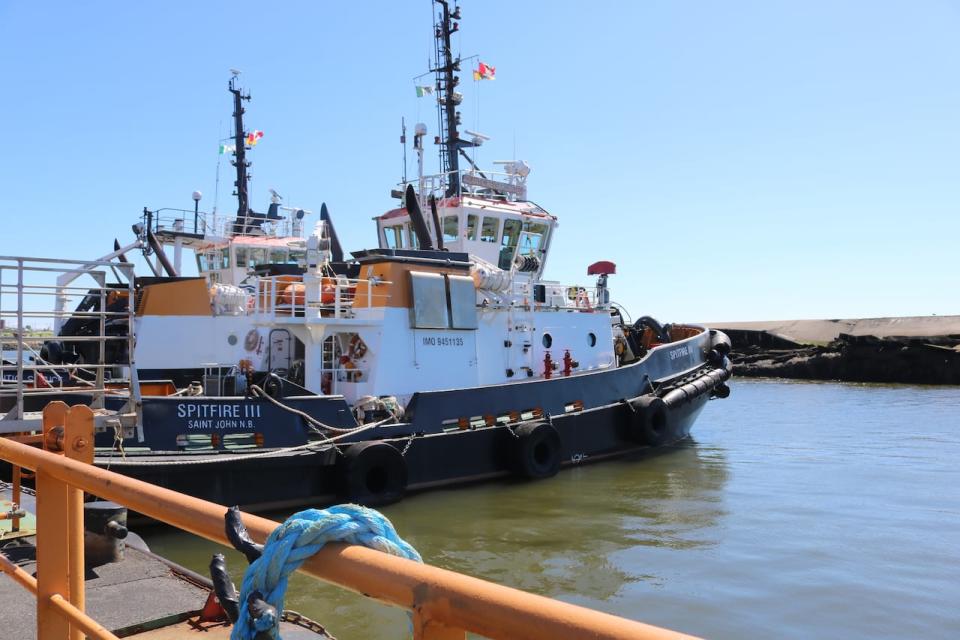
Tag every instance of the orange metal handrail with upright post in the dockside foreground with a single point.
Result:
(444, 604)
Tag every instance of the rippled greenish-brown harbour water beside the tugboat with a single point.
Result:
(798, 510)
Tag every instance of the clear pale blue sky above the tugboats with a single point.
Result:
(737, 160)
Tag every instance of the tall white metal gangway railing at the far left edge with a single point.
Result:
(33, 299)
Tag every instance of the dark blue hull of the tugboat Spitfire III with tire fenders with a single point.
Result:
(528, 430)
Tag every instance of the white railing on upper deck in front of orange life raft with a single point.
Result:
(315, 296)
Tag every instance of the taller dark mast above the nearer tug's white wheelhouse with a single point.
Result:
(451, 146)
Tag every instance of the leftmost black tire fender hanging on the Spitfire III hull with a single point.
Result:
(372, 473)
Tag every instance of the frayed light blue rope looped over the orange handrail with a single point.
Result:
(298, 538)
